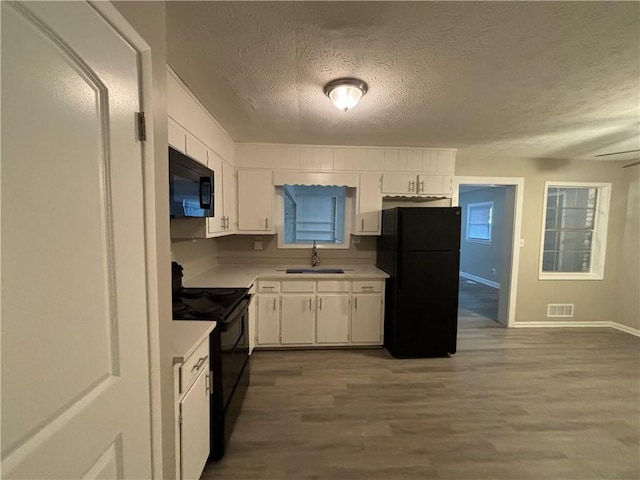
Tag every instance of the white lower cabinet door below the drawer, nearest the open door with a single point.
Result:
(194, 427)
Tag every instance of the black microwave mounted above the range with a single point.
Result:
(190, 187)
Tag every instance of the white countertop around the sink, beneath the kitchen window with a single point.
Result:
(243, 276)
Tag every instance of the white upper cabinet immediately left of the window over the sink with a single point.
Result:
(255, 195)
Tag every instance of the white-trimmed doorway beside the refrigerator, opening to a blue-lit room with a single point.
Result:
(489, 249)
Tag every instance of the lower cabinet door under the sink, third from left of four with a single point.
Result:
(332, 322)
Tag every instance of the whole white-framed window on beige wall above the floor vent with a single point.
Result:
(574, 231)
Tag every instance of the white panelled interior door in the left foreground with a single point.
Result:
(75, 367)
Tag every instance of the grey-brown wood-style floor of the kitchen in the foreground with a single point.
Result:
(511, 404)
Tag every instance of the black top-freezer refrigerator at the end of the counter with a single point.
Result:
(420, 250)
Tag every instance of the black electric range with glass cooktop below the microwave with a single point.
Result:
(228, 349)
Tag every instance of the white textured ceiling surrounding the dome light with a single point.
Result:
(516, 79)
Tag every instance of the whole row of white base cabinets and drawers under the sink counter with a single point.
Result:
(318, 313)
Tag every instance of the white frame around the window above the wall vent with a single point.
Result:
(599, 241)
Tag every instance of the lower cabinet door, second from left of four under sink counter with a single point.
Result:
(297, 319)
